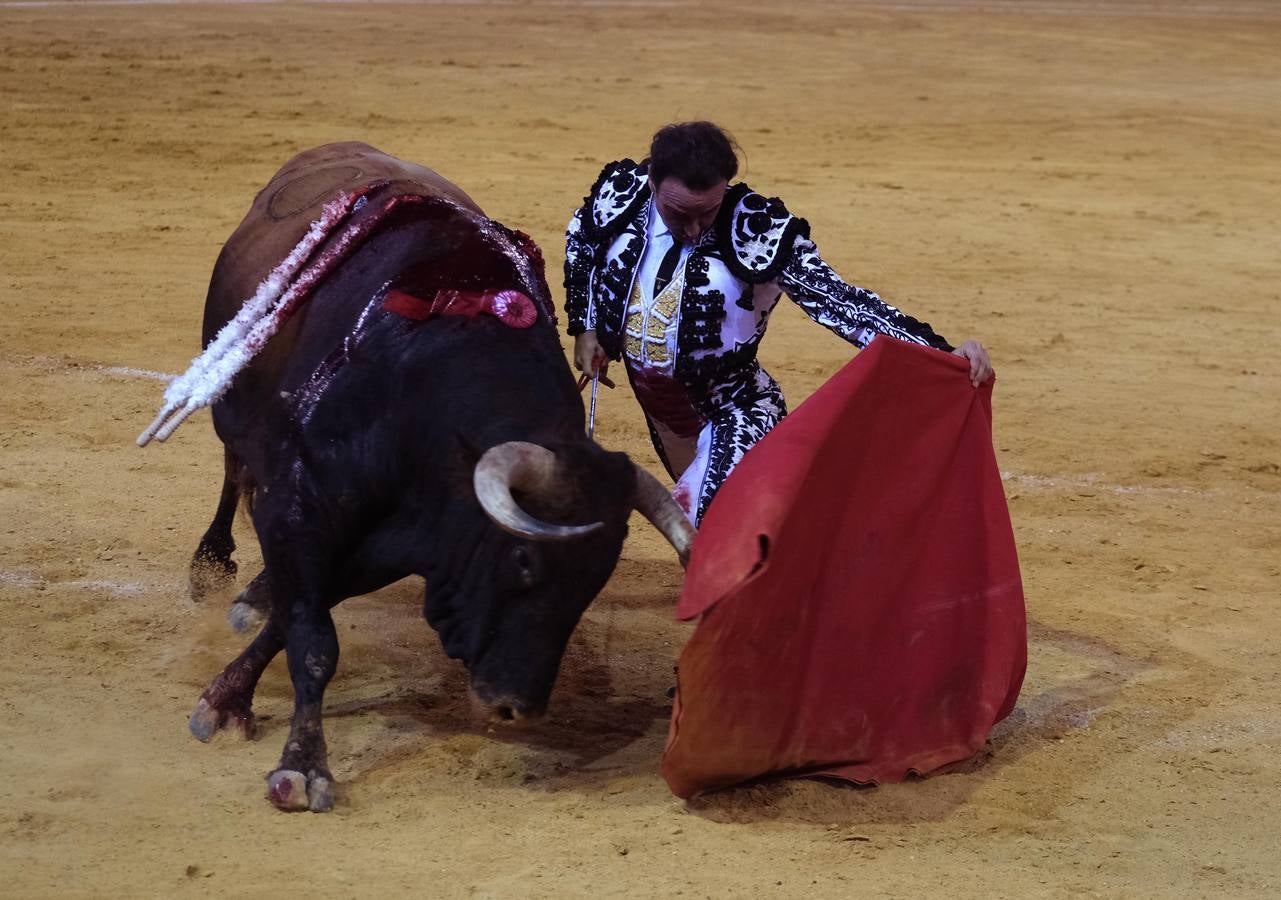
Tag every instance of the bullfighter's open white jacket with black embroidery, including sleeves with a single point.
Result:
(733, 278)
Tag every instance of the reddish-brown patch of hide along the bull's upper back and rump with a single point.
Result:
(285, 211)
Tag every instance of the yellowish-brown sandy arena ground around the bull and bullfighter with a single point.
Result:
(1089, 189)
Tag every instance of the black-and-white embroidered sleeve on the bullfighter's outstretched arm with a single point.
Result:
(855, 314)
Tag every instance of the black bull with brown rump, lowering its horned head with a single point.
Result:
(373, 446)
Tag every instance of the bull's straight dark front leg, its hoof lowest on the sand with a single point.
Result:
(303, 779)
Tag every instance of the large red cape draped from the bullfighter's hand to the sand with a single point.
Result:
(863, 614)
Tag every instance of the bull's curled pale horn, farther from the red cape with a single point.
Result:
(523, 467)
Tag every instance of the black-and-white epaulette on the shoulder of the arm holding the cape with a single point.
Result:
(756, 235)
